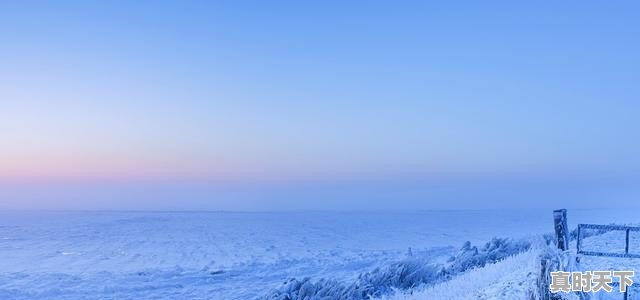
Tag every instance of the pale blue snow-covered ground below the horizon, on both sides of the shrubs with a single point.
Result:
(225, 255)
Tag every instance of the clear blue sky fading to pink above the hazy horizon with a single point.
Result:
(252, 105)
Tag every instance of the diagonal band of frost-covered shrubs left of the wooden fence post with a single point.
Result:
(405, 274)
